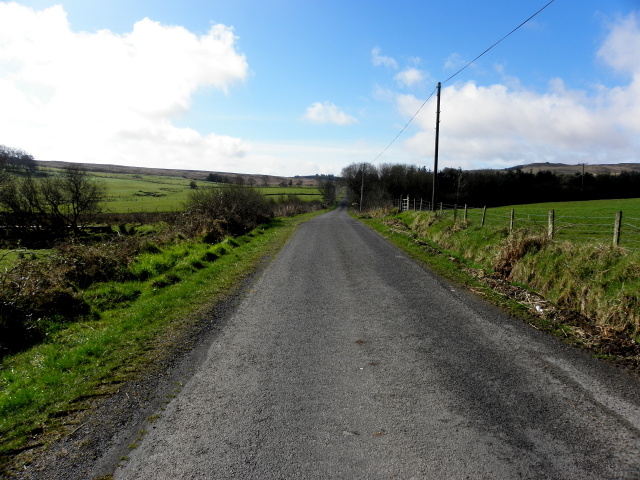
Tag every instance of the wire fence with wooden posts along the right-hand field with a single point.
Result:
(617, 227)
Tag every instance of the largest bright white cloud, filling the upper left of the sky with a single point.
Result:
(106, 97)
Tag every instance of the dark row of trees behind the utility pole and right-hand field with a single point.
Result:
(380, 185)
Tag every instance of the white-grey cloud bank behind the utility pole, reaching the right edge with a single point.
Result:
(502, 125)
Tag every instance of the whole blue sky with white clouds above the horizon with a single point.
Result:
(304, 87)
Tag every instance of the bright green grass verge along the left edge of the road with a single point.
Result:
(139, 321)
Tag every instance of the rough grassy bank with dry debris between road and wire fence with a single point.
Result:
(585, 294)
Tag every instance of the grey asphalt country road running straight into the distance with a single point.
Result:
(348, 360)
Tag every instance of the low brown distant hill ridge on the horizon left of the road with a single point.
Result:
(200, 175)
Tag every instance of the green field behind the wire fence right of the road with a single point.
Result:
(589, 221)
